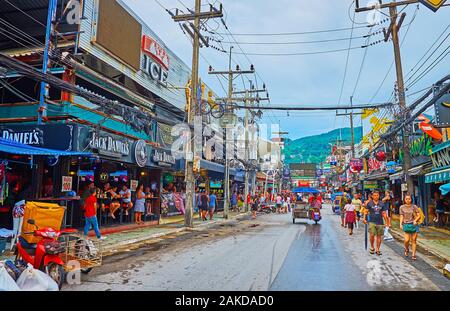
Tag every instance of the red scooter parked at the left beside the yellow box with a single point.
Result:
(45, 254)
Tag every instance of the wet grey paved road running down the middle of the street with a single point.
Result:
(269, 253)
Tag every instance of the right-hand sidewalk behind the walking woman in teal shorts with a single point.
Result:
(431, 240)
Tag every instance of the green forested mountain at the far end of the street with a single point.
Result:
(315, 149)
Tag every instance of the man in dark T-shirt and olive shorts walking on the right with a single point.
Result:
(377, 211)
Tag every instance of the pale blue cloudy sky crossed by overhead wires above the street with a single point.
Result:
(313, 80)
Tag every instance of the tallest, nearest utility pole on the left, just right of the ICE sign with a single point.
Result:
(192, 111)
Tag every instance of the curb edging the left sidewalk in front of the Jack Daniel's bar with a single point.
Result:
(120, 247)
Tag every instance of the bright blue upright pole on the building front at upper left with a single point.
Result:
(51, 15)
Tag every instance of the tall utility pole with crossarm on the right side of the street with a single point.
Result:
(393, 33)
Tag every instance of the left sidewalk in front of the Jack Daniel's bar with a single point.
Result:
(125, 238)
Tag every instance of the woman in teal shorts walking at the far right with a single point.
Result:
(409, 217)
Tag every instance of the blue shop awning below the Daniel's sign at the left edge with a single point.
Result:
(12, 147)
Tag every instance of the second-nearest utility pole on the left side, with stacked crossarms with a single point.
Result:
(229, 113)
